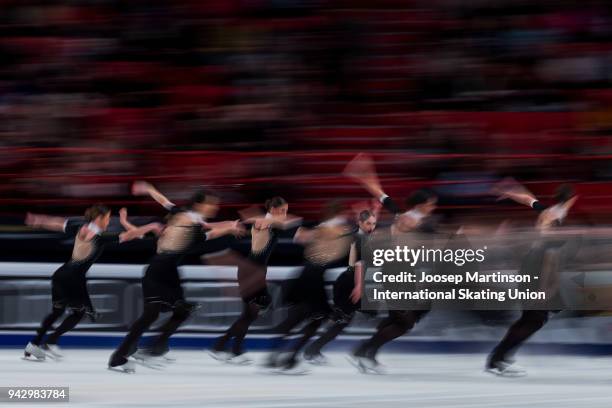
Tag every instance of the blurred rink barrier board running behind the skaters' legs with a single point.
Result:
(115, 291)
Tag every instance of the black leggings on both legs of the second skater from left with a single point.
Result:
(149, 315)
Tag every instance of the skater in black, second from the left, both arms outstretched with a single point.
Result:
(185, 231)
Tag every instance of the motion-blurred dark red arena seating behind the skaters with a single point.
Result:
(274, 97)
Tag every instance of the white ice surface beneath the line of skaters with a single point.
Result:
(413, 380)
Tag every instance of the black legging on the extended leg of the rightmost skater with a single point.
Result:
(530, 322)
